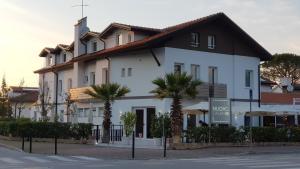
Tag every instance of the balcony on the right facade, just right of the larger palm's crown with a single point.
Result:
(206, 90)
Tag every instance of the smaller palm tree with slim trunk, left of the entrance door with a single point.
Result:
(107, 93)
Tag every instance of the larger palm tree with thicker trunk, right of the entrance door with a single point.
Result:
(176, 86)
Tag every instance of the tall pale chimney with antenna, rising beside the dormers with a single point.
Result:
(80, 29)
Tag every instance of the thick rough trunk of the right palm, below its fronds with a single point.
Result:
(176, 119)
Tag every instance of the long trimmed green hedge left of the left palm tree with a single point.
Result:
(19, 128)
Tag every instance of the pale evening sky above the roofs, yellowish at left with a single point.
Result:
(27, 26)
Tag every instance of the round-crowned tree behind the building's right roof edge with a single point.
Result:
(282, 65)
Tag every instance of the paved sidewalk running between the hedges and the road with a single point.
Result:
(125, 153)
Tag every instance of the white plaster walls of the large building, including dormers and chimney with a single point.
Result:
(136, 70)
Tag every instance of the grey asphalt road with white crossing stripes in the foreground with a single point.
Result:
(10, 159)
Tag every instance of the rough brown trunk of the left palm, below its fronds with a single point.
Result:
(106, 122)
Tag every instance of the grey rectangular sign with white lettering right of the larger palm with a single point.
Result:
(220, 110)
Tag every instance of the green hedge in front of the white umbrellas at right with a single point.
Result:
(231, 134)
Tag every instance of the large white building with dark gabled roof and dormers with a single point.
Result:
(212, 49)
